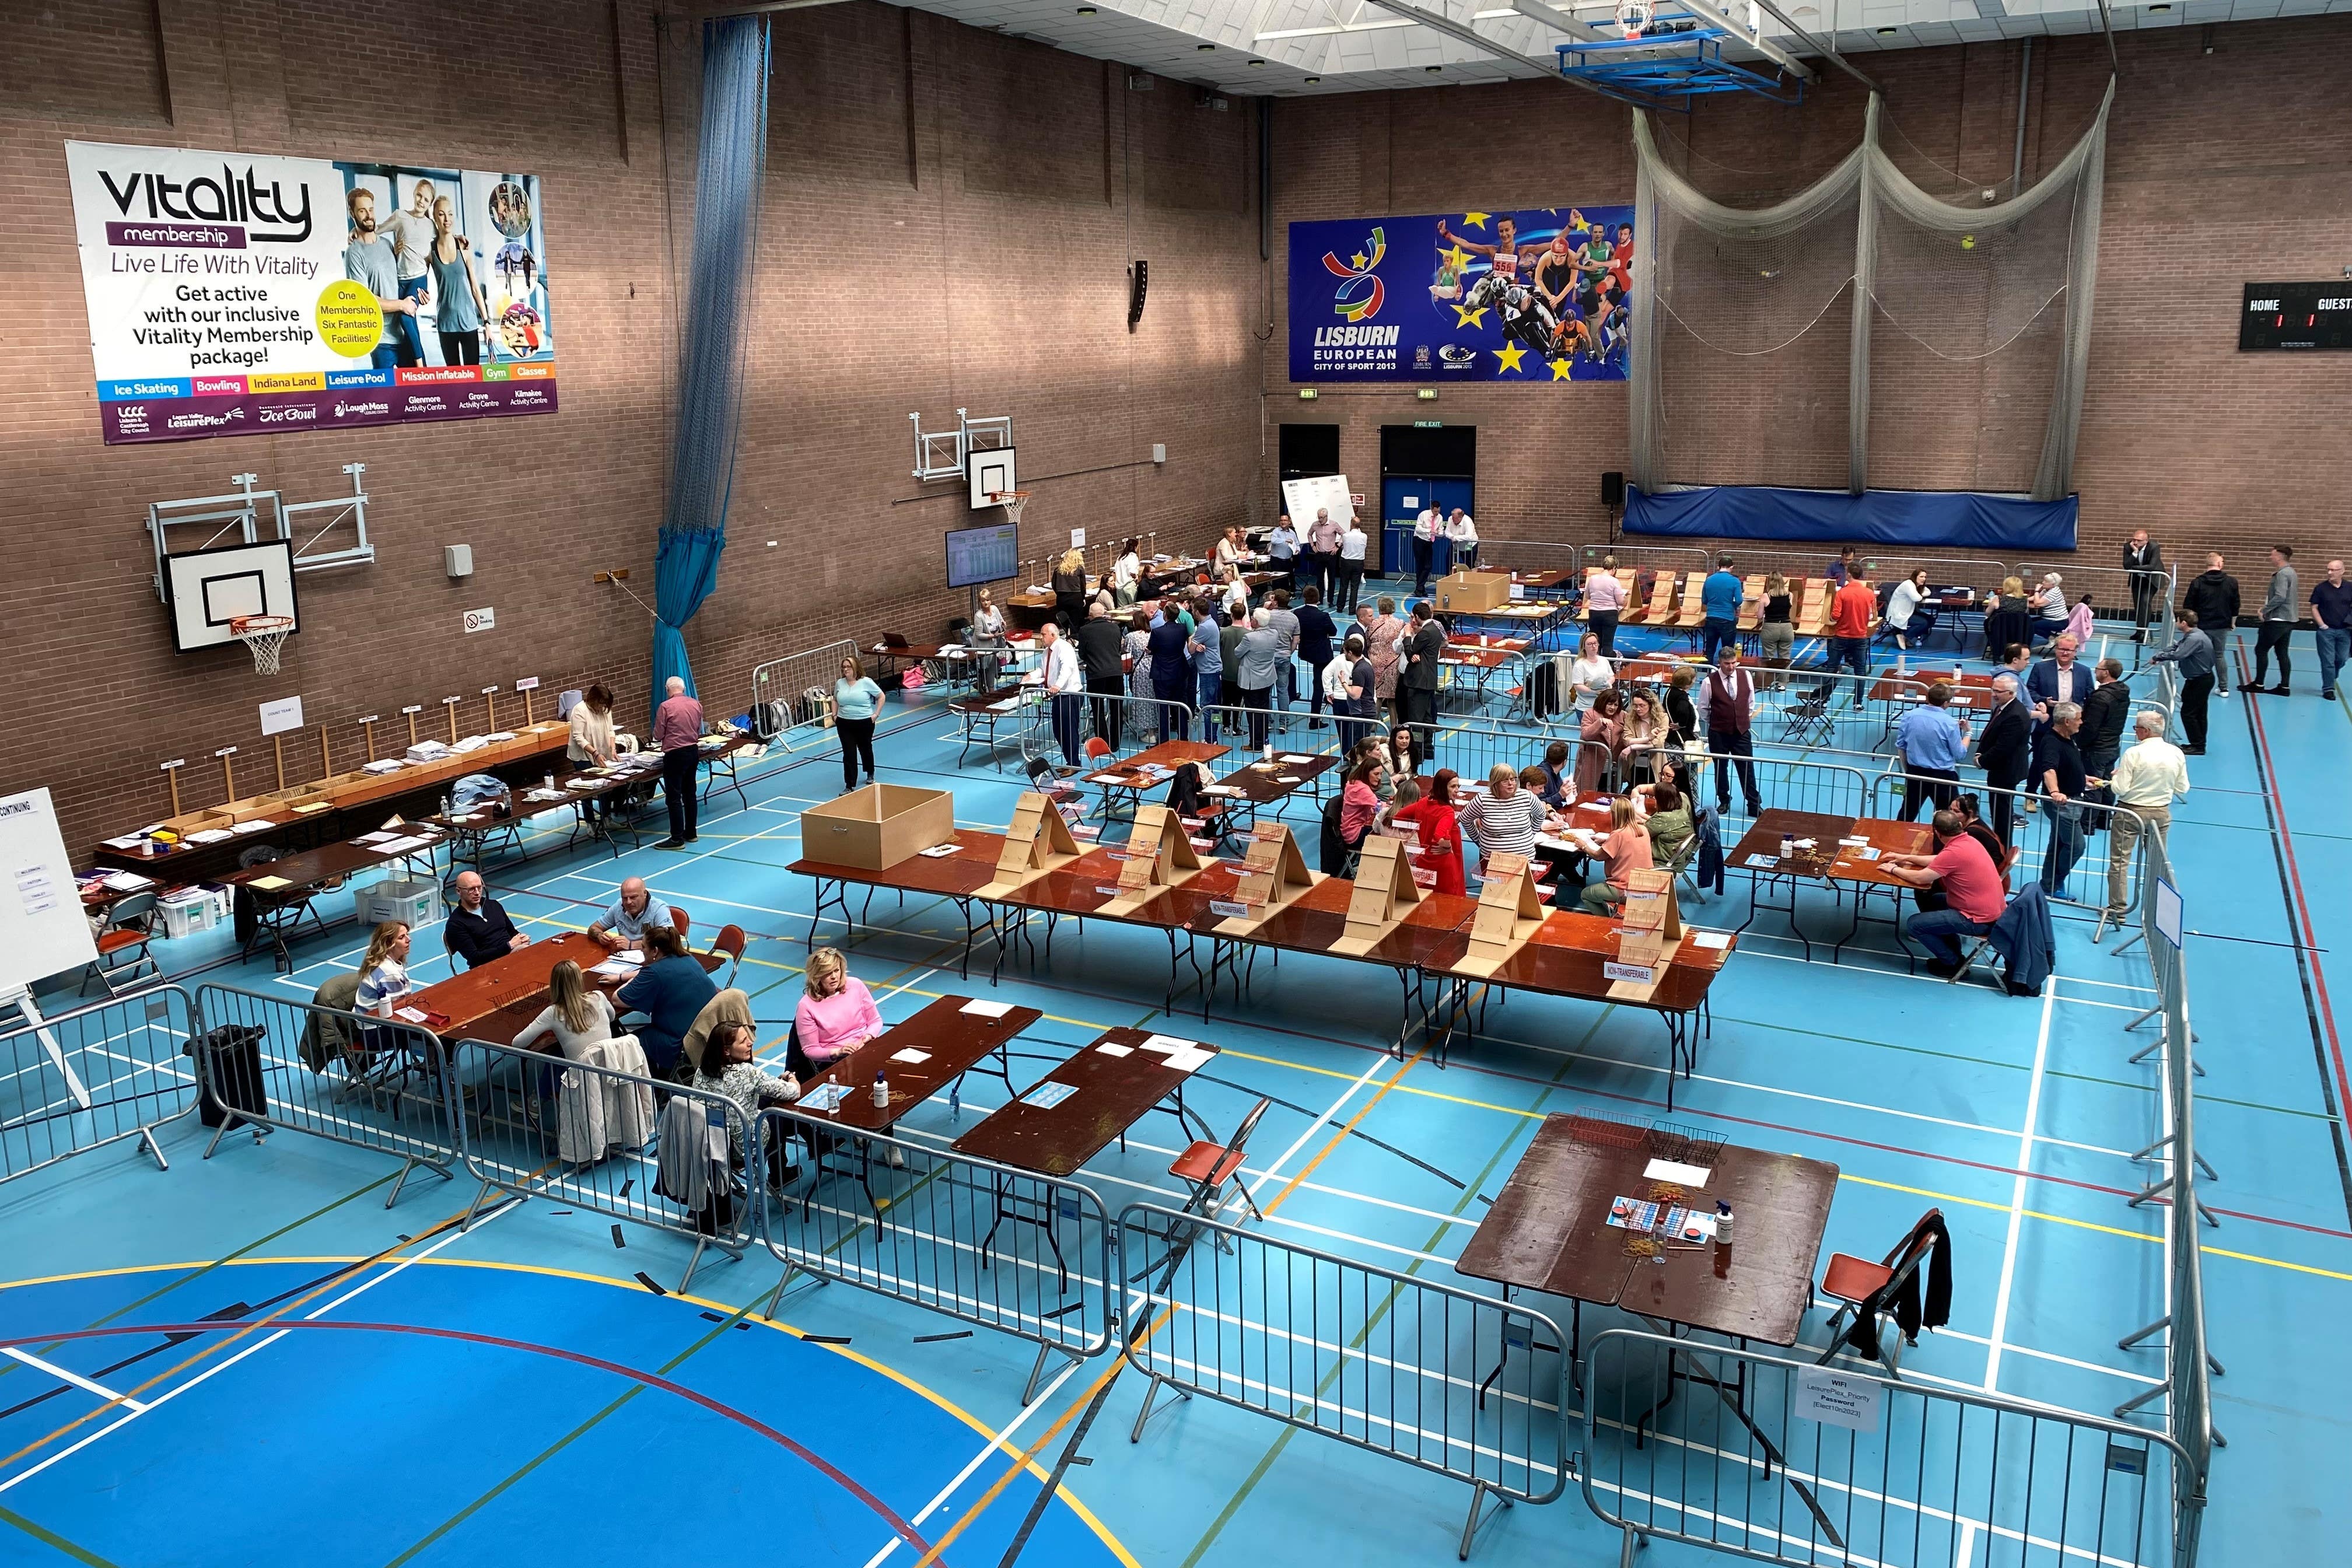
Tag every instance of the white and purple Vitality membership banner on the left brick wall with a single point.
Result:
(236, 295)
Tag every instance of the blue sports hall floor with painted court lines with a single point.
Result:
(519, 1395)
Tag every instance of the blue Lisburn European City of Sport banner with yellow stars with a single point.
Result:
(1532, 295)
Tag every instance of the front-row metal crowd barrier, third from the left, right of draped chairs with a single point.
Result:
(980, 1242)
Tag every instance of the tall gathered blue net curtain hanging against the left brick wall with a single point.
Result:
(730, 170)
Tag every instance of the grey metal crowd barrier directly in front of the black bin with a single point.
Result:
(288, 1066)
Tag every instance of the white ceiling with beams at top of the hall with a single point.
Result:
(1285, 48)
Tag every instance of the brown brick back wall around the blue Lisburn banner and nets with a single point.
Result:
(2221, 168)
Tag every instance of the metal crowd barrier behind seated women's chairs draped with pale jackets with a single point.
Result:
(589, 1139)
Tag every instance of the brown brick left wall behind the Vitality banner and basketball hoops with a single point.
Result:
(949, 217)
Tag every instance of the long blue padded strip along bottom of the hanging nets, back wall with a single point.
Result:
(1897, 518)
